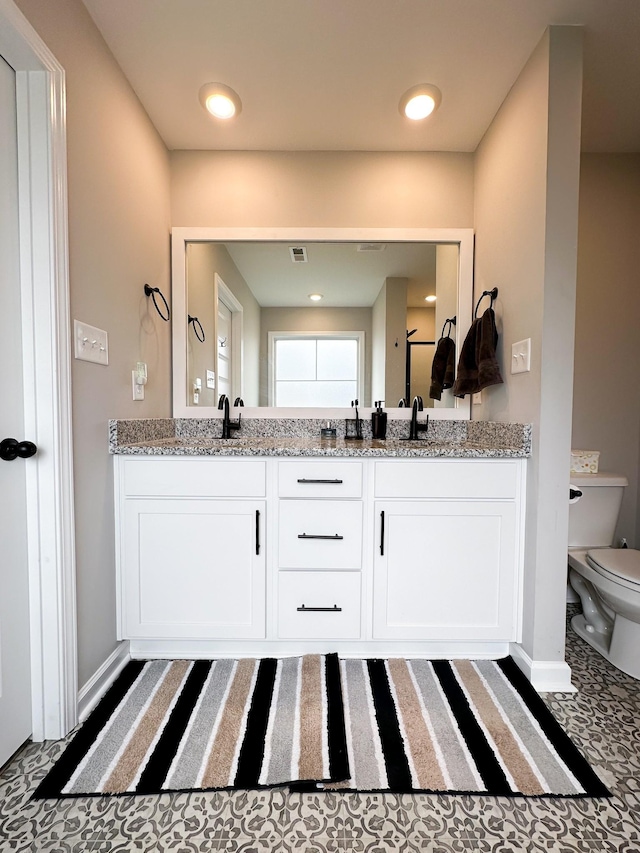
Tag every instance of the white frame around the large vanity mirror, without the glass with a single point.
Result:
(180, 236)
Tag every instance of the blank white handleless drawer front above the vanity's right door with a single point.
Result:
(451, 478)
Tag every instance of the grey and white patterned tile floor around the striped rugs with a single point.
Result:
(602, 718)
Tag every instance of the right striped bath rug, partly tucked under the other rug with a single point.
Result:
(456, 727)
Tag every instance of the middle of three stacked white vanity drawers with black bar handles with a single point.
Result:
(320, 535)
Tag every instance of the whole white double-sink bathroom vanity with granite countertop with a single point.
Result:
(284, 545)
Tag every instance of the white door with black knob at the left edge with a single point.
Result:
(15, 689)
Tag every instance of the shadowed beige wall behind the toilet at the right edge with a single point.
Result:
(606, 394)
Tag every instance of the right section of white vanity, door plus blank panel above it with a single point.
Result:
(447, 561)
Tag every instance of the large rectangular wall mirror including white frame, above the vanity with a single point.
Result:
(245, 322)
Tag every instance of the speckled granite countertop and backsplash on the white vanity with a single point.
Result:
(301, 437)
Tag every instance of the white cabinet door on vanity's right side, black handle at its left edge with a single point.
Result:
(446, 570)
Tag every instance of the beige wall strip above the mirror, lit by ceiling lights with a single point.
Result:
(321, 189)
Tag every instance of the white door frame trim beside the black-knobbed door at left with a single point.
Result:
(44, 283)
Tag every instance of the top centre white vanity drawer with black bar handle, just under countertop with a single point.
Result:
(319, 479)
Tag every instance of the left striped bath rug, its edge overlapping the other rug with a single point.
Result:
(208, 725)
